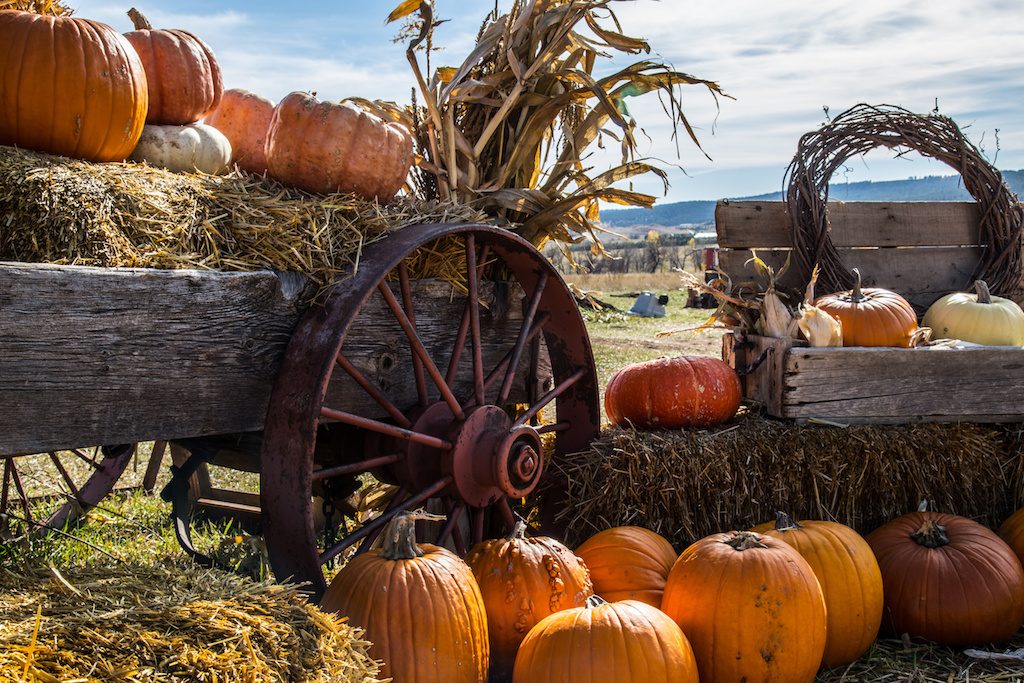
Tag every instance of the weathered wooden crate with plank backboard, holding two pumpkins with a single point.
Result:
(922, 250)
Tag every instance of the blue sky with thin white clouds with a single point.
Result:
(783, 62)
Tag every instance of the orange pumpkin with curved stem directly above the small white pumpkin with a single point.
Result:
(185, 79)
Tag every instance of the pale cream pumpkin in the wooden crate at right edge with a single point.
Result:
(978, 318)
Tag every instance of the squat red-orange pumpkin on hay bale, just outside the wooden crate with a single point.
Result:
(669, 394)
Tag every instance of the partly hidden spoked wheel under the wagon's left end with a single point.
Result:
(75, 482)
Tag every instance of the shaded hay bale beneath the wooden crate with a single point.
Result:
(689, 484)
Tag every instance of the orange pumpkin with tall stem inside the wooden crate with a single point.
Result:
(871, 317)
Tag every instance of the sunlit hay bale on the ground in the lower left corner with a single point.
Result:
(148, 623)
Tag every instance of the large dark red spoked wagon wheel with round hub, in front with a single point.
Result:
(472, 437)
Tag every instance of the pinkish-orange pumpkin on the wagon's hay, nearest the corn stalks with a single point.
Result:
(328, 148)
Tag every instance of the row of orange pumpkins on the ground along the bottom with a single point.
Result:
(777, 604)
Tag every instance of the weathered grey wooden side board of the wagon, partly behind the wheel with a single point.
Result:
(104, 356)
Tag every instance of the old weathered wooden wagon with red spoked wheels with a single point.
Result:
(438, 389)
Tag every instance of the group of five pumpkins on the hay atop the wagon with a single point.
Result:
(76, 88)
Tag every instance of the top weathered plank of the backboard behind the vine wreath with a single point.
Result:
(766, 225)
